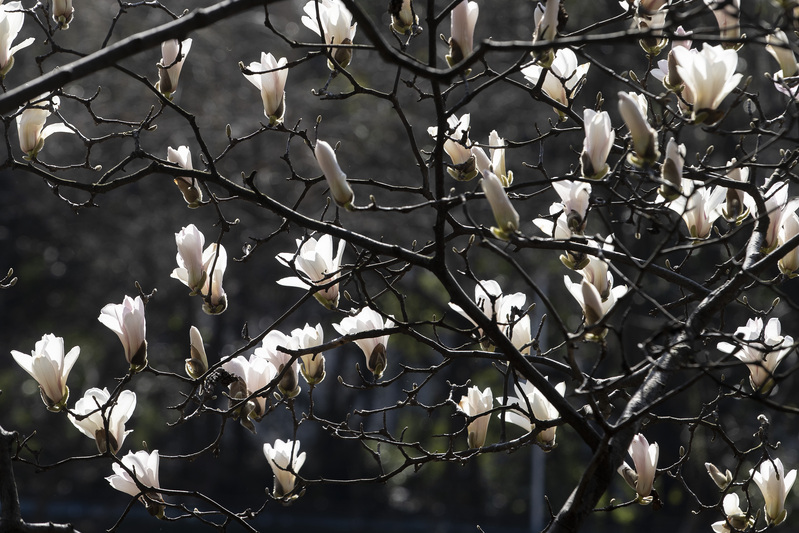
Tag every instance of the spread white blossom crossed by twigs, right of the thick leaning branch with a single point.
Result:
(761, 350)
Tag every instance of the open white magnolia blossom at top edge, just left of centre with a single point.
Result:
(336, 27)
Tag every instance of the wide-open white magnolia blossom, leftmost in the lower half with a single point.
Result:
(48, 365)
